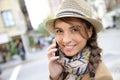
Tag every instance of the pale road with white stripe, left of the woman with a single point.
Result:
(34, 70)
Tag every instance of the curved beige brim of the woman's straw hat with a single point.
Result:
(96, 24)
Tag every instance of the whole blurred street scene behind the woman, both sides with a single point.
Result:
(24, 40)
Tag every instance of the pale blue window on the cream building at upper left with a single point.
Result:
(7, 18)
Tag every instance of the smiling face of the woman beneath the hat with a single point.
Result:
(68, 36)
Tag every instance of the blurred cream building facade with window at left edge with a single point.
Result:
(14, 24)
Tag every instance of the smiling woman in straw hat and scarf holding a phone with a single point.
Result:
(78, 54)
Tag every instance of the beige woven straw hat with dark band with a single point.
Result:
(75, 8)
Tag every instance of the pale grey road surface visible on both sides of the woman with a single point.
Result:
(38, 69)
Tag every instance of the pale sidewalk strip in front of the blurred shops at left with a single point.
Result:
(29, 58)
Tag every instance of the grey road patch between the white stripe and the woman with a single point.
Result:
(34, 71)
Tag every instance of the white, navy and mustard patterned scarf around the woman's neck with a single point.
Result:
(77, 66)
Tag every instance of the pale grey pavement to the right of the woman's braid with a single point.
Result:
(109, 42)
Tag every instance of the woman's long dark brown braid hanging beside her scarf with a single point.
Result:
(95, 56)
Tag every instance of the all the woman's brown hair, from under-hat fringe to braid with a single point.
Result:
(95, 56)
